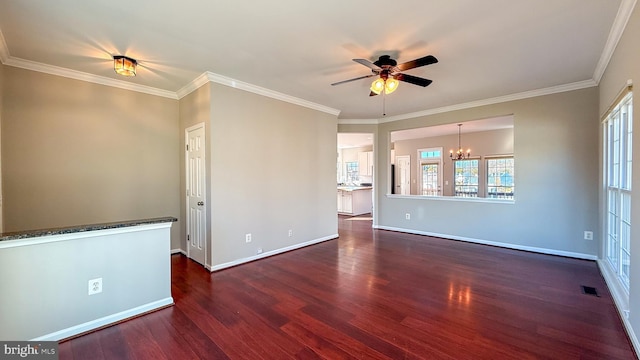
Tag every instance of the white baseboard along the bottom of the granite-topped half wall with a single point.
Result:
(104, 321)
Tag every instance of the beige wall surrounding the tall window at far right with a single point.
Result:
(625, 65)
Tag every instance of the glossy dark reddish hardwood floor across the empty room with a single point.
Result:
(375, 295)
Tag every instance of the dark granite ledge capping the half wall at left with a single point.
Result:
(82, 228)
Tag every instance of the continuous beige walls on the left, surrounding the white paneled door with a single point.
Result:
(104, 154)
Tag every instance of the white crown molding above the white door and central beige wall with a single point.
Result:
(227, 81)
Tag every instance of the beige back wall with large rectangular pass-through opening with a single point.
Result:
(555, 172)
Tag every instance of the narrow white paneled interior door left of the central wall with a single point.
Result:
(195, 179)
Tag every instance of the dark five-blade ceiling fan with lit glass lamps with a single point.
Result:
(389, 73)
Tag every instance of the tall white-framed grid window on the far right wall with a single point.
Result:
(617, 163)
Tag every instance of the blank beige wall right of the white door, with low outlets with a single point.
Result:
(273, 169)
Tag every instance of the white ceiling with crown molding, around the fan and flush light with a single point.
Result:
(486, 49)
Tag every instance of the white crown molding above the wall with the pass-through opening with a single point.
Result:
(496, 100)
